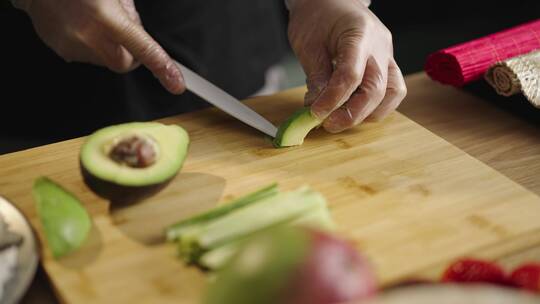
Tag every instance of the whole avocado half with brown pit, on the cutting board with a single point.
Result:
(130, 161)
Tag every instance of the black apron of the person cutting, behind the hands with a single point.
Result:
(231, 43)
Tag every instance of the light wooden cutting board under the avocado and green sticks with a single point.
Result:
(410, 201)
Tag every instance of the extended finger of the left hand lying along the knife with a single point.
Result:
(146, 50)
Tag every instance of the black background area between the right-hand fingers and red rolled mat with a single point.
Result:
(420, 27)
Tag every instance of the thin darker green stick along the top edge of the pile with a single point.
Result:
(177, 229)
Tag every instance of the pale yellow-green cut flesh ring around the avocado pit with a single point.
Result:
(170, 142)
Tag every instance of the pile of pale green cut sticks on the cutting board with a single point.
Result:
(209, 239)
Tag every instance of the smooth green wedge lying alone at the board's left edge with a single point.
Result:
(65, 221)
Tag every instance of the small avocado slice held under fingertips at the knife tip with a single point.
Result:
(293, 131)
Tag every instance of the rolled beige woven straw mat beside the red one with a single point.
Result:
(518, 74)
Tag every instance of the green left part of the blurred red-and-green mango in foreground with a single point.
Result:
(261, 269)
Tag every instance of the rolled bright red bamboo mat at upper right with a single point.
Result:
(466, 62)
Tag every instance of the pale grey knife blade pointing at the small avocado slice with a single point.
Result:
(224, 101)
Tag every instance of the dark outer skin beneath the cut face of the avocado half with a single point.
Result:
(120, 194)
